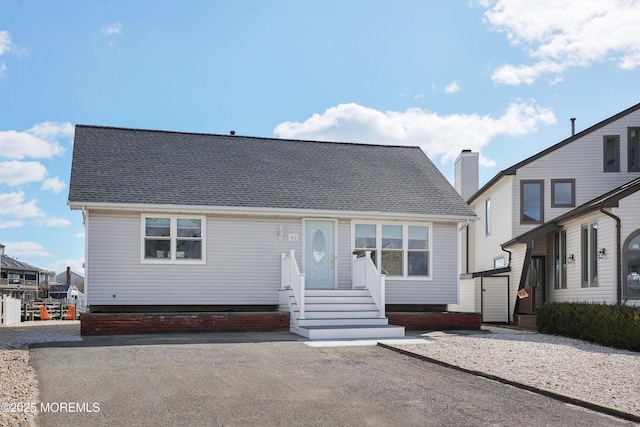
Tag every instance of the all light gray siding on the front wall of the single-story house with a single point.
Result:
(242, 264)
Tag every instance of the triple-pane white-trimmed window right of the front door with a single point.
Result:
(399, 250)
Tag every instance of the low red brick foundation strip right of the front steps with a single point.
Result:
(417, 321)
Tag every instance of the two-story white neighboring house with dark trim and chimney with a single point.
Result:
(562, 225)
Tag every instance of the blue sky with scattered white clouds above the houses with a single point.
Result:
(499, 77)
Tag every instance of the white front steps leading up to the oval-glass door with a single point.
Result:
(340, 314)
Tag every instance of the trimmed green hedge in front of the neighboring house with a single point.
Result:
(609, 325)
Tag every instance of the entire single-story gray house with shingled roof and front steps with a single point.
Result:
(219, 224)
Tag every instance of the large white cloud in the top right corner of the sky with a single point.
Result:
(560, 35)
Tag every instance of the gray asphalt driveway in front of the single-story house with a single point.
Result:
(272, 379)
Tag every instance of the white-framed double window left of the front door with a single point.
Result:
(173, 239)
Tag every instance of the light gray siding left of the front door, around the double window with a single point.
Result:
(243, 263)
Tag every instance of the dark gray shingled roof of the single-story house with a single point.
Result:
(134, 166)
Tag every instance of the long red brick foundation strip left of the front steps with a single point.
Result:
(146, 323)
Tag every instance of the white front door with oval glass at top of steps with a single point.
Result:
(320, 265)
